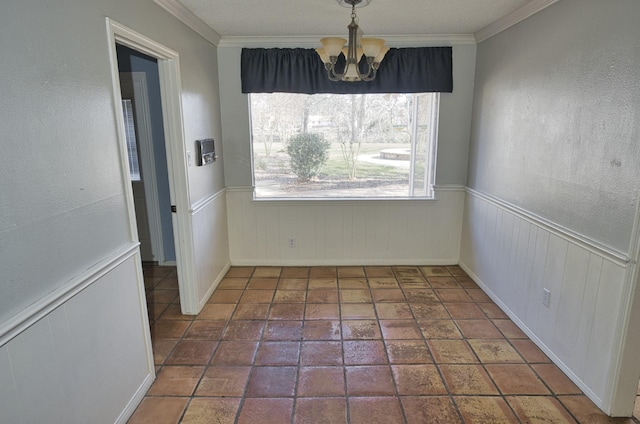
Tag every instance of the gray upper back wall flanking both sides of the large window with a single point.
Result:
(454, 125)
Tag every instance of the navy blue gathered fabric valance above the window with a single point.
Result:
(404, 70)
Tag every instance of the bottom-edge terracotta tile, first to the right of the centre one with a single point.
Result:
(375, 410)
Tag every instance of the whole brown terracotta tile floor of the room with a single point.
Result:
(388, 345)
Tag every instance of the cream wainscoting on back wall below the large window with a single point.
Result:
(336, 232)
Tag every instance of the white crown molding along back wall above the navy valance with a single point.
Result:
(308, 41)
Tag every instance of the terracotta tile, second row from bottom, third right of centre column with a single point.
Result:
(468, 380)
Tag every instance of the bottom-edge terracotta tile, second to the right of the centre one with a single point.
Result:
(429, 409)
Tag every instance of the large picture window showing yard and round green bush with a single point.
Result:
(344, 145)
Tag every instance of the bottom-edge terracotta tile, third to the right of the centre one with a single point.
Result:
(485, 409)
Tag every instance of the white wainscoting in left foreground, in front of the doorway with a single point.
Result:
(86, 361)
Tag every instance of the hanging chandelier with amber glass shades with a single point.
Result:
(372, 48)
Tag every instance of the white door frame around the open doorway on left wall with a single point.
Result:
(171, 95)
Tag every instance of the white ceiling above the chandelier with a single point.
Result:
(286, 18)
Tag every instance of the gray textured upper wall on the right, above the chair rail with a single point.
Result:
(556, 121)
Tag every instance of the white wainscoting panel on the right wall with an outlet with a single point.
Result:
(514, 256)
